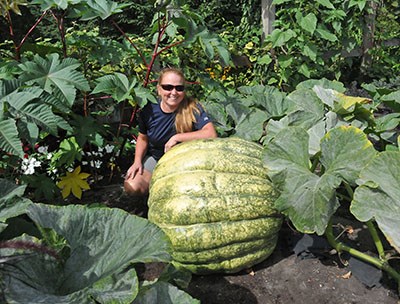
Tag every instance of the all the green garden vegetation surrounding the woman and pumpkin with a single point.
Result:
(319, 94)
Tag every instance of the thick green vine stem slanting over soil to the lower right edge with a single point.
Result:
(379, 263)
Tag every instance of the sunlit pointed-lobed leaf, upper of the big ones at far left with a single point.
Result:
(55, 76)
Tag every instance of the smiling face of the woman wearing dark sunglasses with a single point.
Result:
(170, 100)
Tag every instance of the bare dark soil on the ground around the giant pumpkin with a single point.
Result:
(302, 269)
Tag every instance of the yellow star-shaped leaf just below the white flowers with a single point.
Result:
(75, 182)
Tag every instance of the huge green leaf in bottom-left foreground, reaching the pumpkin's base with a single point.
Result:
(102, 242)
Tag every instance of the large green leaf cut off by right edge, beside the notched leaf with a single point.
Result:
(378, 196)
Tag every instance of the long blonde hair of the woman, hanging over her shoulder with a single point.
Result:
(185, 113)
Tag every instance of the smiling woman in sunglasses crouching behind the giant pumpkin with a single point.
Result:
(175, 118)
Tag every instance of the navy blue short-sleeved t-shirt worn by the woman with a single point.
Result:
(160, 126)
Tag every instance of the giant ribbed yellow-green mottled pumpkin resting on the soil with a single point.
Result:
(213, 199)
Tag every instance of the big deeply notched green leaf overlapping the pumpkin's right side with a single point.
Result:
(309, 200)
